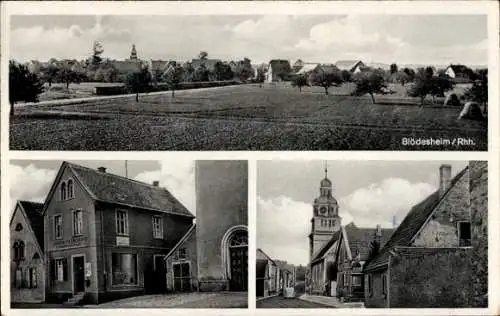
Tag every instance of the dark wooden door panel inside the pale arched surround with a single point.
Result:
(238, 255)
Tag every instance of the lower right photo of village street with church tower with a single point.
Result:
(373, 234)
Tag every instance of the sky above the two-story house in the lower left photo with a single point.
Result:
(177, 176)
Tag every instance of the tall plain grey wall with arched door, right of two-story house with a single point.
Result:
(221, 224)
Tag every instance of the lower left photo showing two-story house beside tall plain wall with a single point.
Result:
(128, 234)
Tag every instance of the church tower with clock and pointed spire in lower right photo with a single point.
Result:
(325, 220)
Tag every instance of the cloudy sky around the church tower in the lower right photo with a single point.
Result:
(368, 193)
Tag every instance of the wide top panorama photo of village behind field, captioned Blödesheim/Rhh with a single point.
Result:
(248, 82)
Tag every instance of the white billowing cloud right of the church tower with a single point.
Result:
(379, 202)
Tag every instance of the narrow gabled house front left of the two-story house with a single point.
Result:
(27, 273)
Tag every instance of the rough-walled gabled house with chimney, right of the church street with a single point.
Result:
(429, 260)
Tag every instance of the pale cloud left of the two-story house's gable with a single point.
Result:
(40, 181)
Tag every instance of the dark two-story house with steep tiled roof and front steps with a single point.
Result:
(106, 236)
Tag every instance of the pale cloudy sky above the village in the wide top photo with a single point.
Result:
(404, 39)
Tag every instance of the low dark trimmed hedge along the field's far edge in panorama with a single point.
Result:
(114, 90)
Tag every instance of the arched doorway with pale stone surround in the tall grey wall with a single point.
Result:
(235, 255)
